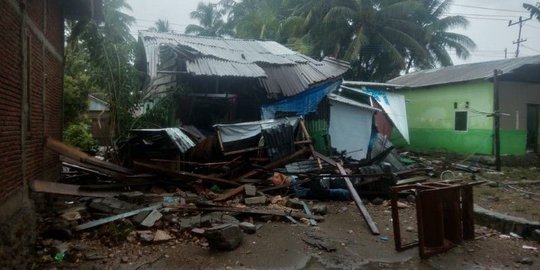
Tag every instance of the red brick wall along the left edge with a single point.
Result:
(44, 93)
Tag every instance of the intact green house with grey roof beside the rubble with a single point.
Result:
(451, 109)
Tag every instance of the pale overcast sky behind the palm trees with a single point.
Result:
(488, 23)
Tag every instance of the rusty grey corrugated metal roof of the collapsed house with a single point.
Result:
(281, 70)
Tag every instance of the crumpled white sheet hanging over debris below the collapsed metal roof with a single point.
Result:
(241, 131)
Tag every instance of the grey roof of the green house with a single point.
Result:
(462, 73)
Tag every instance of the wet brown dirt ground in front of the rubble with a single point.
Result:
(279, 245)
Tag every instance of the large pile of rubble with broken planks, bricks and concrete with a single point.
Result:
(165, 192)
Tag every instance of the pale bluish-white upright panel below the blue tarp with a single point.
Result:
(350, 126)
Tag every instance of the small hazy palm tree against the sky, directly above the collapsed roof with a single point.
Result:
(211, 22)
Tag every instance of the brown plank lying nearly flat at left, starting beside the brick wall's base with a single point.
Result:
(66, 189)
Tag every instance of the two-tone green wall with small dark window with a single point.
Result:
(430, 113)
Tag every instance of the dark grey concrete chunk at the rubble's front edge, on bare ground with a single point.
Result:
(224, 237)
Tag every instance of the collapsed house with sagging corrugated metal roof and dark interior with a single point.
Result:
(226, 80)
